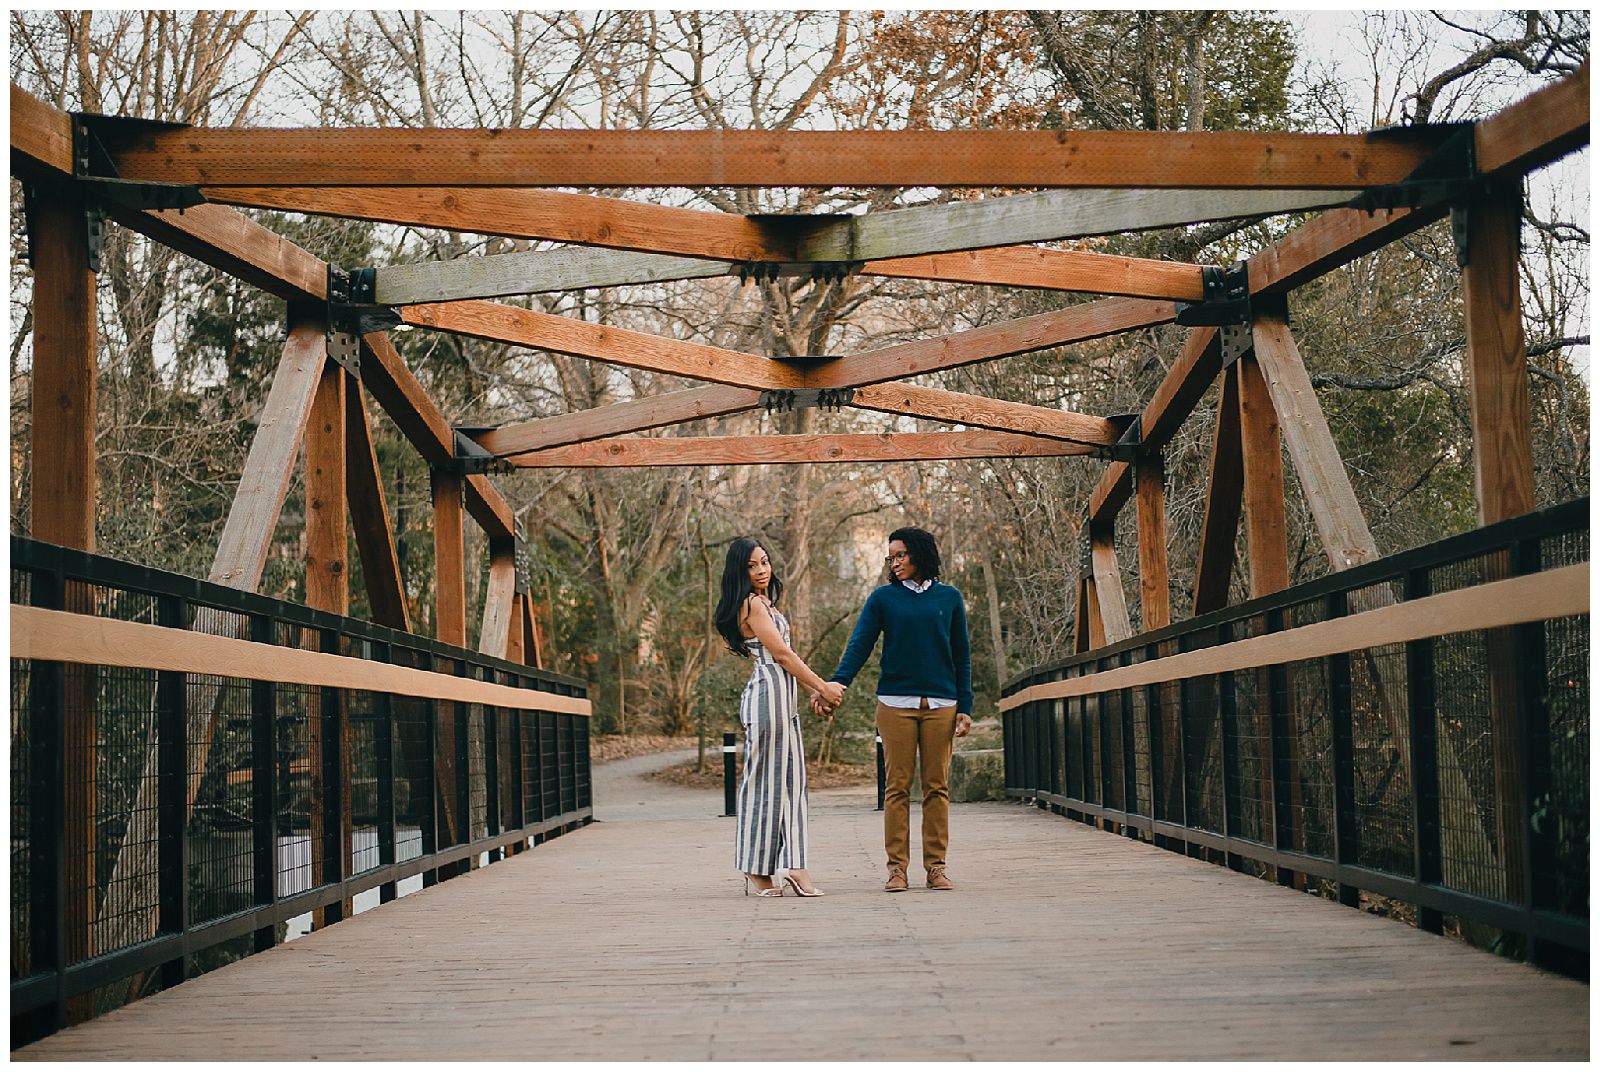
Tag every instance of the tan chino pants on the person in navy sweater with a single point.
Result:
(908, 732)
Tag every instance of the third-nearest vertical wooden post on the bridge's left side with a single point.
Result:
(450, 626)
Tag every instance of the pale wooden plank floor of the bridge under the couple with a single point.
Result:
(630, 940)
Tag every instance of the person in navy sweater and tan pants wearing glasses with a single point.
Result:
(926, 697)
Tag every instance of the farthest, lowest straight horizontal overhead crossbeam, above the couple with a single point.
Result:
(778, 450)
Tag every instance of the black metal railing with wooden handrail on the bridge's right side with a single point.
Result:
(1449, 774)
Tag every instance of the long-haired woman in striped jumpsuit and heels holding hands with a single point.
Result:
(772, 801)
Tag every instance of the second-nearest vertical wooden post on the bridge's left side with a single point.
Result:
(329, 590)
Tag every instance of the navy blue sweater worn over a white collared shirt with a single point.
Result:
(926, 650)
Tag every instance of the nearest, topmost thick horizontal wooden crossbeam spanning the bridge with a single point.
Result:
(825, 159)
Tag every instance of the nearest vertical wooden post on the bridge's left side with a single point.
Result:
(63, 502)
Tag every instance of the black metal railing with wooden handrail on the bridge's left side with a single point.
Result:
(167, 822)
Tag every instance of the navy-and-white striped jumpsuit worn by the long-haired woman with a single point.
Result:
(772, 790)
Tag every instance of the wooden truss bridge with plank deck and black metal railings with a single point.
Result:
(196, 766)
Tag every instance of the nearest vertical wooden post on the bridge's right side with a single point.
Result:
(1502, 473)
